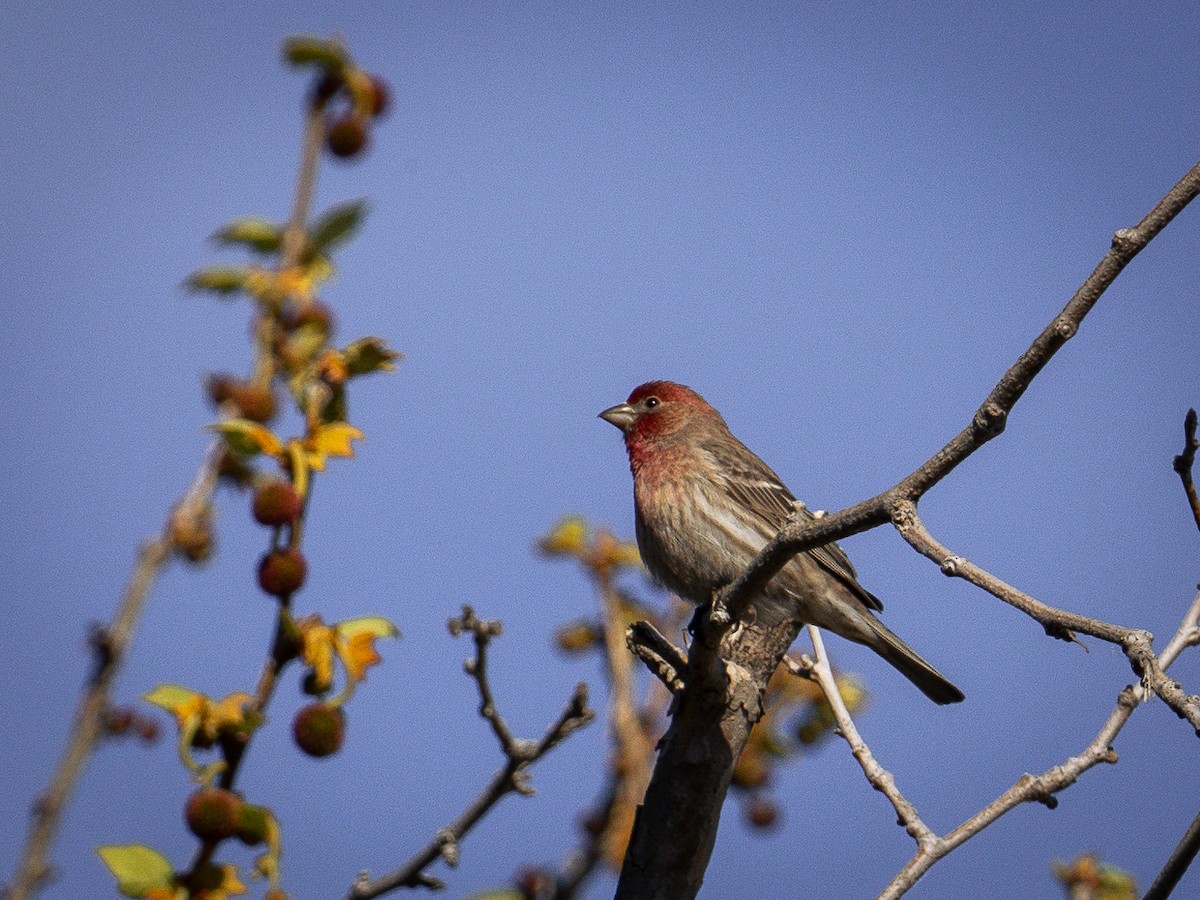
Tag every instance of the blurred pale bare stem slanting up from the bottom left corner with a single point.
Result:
(110, 645)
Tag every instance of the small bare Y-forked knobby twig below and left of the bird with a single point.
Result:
(513, 777)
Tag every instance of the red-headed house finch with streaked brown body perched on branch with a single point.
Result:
(706, 506)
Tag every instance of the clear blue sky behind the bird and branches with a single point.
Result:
(841, 224)
